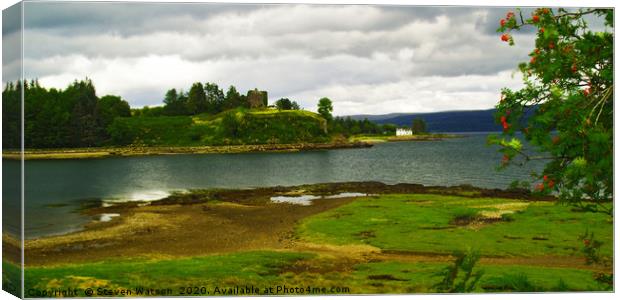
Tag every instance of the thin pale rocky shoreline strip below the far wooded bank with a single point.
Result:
(103, 152)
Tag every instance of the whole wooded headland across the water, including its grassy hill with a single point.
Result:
(77, 117)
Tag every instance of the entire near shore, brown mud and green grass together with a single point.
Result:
(347, 227)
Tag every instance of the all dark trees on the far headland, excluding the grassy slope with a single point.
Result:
(77, 117)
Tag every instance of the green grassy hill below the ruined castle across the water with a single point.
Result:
(232, 127)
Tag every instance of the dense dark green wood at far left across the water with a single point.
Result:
(73, 117)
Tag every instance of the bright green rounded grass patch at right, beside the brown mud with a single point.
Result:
(422, 223)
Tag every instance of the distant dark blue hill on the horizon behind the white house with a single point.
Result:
(447, 121)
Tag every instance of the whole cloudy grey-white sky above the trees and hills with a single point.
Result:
(367, 59)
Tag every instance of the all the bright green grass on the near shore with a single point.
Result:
(420, 228)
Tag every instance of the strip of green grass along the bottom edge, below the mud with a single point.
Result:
(270, 269)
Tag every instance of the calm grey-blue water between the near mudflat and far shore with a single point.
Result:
(55, 189)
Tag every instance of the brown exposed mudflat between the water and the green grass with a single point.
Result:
(221, 221)
